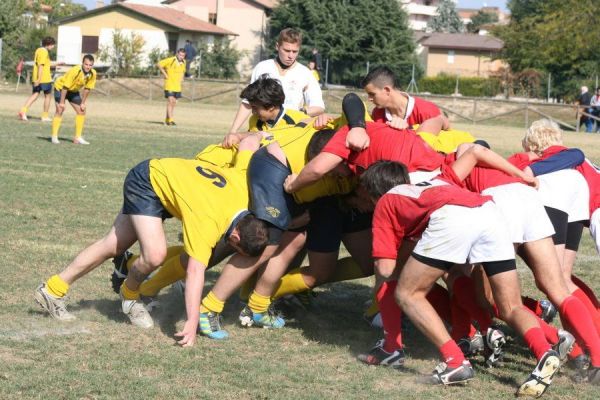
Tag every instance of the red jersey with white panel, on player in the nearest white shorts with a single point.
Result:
(404, 212)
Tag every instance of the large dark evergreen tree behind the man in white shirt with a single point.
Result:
(350, 33)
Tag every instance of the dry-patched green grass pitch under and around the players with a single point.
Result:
(54, 200)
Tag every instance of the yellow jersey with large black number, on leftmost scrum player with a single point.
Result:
(205, 197)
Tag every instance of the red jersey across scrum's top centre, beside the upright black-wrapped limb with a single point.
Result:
(386, 144)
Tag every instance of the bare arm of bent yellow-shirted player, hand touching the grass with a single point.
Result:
(194, 284)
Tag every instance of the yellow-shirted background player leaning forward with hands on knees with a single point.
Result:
(66, 88)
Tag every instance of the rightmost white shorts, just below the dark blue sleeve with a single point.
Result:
(566, 190)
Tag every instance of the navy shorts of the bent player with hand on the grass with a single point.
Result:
(139, 197)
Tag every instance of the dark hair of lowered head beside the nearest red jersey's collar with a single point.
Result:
(382, 176)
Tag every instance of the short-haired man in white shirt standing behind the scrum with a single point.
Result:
(302, 90)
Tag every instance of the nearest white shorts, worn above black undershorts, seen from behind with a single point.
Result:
(459, 234)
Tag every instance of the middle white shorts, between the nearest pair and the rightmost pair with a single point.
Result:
(523, 212)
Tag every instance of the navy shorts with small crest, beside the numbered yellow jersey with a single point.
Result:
(268, 200)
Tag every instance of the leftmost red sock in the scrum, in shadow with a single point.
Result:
(391, 316)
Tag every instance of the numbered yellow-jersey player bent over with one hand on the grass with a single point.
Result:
(211, 202)
